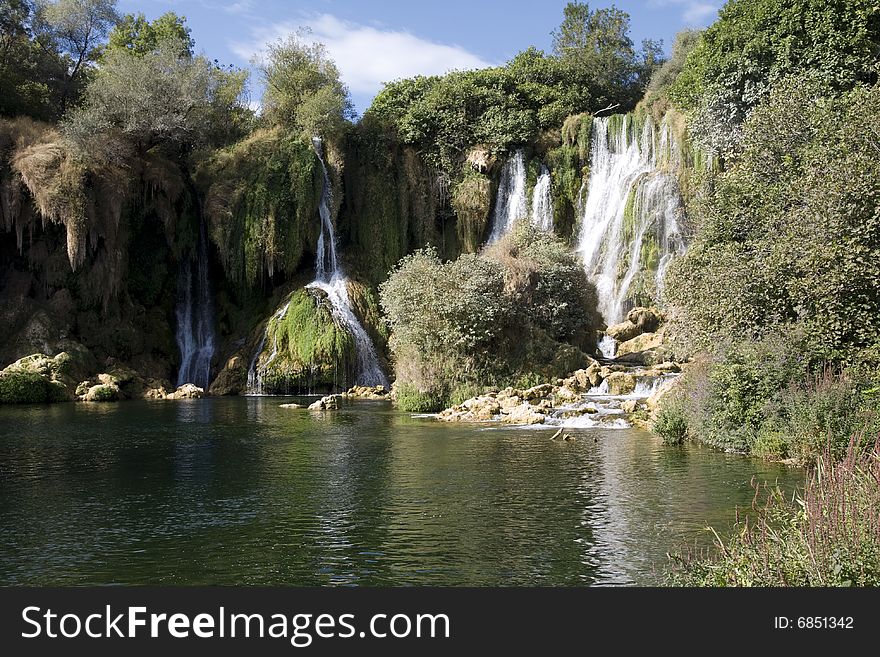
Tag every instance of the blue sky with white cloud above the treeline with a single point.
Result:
(379, 41)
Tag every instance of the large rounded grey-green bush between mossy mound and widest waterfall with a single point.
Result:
(522, 308)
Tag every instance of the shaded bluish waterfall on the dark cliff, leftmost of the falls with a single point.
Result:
(195, 318)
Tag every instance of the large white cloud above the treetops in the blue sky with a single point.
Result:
(368, 56)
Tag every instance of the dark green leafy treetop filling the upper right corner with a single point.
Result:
(756, 43)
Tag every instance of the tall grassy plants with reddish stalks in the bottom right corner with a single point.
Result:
(829, 537)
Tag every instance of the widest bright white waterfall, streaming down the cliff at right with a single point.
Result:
(630, 222)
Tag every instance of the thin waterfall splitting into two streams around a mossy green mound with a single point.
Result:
(329, 278)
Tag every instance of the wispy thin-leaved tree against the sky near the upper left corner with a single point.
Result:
(76, 29)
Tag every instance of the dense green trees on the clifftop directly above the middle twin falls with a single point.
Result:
(503, 107)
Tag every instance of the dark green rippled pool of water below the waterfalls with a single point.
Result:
(240, 491)
